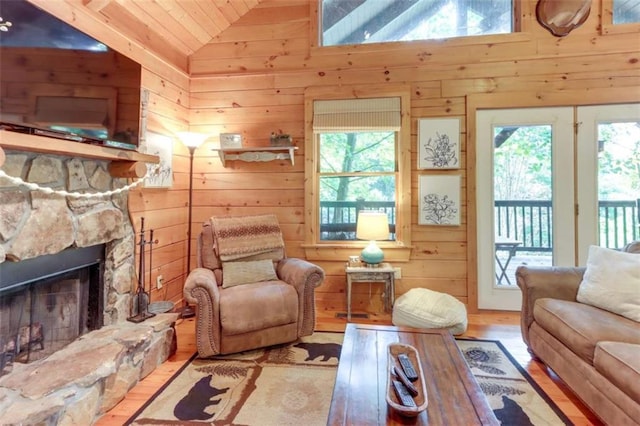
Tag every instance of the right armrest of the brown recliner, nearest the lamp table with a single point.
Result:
(305, 277)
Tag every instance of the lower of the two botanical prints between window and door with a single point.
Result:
(439, 200)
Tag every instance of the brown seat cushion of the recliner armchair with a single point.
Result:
(258, 306)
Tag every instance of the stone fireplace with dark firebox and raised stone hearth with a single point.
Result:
(87, 375)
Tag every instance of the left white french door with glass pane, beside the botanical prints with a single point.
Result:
(525, 197)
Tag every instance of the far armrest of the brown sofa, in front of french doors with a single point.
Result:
(556, 282)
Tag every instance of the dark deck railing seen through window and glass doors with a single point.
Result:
(528, 221)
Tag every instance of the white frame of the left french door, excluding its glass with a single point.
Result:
(490, 295)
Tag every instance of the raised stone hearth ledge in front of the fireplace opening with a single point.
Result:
(87, 378)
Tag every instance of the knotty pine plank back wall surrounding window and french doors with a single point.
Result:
(252, 77)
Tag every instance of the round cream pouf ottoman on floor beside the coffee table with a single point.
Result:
(424, 308)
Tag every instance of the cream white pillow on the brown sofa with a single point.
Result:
(612, 282)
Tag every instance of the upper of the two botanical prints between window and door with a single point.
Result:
(438, 143)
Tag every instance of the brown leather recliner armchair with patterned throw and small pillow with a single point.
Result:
(247, 293)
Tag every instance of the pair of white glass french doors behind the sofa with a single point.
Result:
(551, 182)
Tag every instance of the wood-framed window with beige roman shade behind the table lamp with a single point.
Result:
(358, 152)
